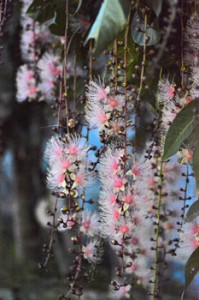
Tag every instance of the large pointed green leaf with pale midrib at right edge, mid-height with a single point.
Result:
(181, 128)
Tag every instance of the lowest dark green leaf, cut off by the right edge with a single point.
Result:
(192, 267)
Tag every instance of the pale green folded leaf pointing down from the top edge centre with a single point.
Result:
(110, 21)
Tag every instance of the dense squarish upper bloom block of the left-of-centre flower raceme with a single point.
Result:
(66, 157)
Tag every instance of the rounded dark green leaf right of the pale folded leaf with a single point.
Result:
(138, 32)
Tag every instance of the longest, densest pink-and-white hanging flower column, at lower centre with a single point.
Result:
(125, 205)
